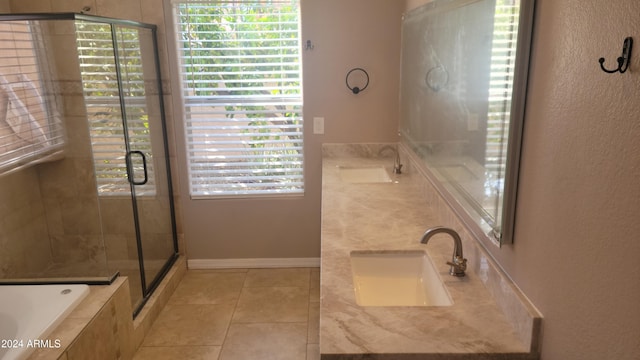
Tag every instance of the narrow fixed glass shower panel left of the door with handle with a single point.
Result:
(109, 143)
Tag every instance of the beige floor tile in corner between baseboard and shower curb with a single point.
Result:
(203, 287)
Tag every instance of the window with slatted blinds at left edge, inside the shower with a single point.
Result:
(30, 128)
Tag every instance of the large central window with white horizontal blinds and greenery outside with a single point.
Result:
(241, 76)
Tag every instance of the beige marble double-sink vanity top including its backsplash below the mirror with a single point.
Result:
(365, 213)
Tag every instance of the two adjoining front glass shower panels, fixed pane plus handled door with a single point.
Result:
(125, 112)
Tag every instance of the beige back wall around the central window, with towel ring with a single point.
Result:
(345, 34)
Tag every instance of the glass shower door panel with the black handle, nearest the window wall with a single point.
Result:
(148, 170)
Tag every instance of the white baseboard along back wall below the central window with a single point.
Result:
(203, 264)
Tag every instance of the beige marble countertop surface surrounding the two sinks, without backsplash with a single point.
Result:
(393, 216)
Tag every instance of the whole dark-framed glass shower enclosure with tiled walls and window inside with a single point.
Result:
(85, 182)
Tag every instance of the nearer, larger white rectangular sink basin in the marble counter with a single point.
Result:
(397, 278)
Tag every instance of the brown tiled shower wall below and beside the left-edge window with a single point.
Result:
(51, 209)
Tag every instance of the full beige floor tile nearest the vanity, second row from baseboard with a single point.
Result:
(272, 304)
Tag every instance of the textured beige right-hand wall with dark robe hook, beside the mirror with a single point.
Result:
(577, 227)
